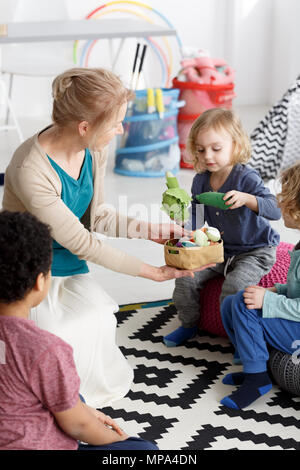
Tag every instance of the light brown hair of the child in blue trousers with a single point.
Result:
(289, 197)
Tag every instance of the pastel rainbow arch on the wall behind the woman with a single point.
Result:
(166, 63)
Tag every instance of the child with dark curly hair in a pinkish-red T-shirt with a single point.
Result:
(39, 386)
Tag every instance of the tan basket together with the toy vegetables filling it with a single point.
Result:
(205, 246)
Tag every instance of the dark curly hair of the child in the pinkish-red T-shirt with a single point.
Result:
(25, 252)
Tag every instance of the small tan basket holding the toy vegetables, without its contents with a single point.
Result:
(193, 258)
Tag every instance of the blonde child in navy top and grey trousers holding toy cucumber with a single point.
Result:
(221, 149)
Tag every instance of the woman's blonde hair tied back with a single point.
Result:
(93, 95)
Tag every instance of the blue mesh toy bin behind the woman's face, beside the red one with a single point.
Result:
(149, 145)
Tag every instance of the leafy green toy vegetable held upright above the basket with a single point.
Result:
(175, 200)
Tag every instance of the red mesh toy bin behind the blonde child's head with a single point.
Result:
(198, 98)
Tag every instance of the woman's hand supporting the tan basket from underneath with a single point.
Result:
(166, 273)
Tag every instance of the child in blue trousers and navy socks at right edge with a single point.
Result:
(258, 317)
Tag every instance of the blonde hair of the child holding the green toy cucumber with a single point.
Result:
(218, 119)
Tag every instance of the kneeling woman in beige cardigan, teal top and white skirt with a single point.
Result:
(58, 175)
